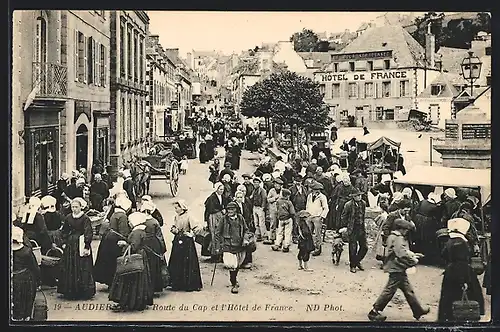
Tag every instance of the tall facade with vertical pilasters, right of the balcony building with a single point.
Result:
(129, 30)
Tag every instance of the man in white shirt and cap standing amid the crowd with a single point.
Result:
(317, 206)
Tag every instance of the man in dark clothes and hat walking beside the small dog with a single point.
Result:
(353, 217)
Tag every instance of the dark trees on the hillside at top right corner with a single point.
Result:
(453, 33)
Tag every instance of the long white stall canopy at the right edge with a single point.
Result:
(450, 177)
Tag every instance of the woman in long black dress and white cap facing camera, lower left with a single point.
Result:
(76, 281)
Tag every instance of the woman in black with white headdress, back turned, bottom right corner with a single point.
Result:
(458, 271)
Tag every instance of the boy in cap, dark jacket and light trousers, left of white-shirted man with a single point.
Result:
(286, 215)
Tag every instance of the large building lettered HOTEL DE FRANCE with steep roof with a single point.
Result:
(377, 77)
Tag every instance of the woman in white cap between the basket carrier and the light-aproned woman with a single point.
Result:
(155, 246)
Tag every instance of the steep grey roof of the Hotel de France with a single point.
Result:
(406, 50)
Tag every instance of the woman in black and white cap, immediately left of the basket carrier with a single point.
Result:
(109, 250)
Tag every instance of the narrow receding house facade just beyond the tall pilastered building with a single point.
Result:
(161, 83)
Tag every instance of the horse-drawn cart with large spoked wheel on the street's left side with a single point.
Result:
(162, 164)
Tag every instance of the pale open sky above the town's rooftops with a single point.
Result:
(237, 31)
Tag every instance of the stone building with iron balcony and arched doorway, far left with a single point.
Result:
(60, 96)
